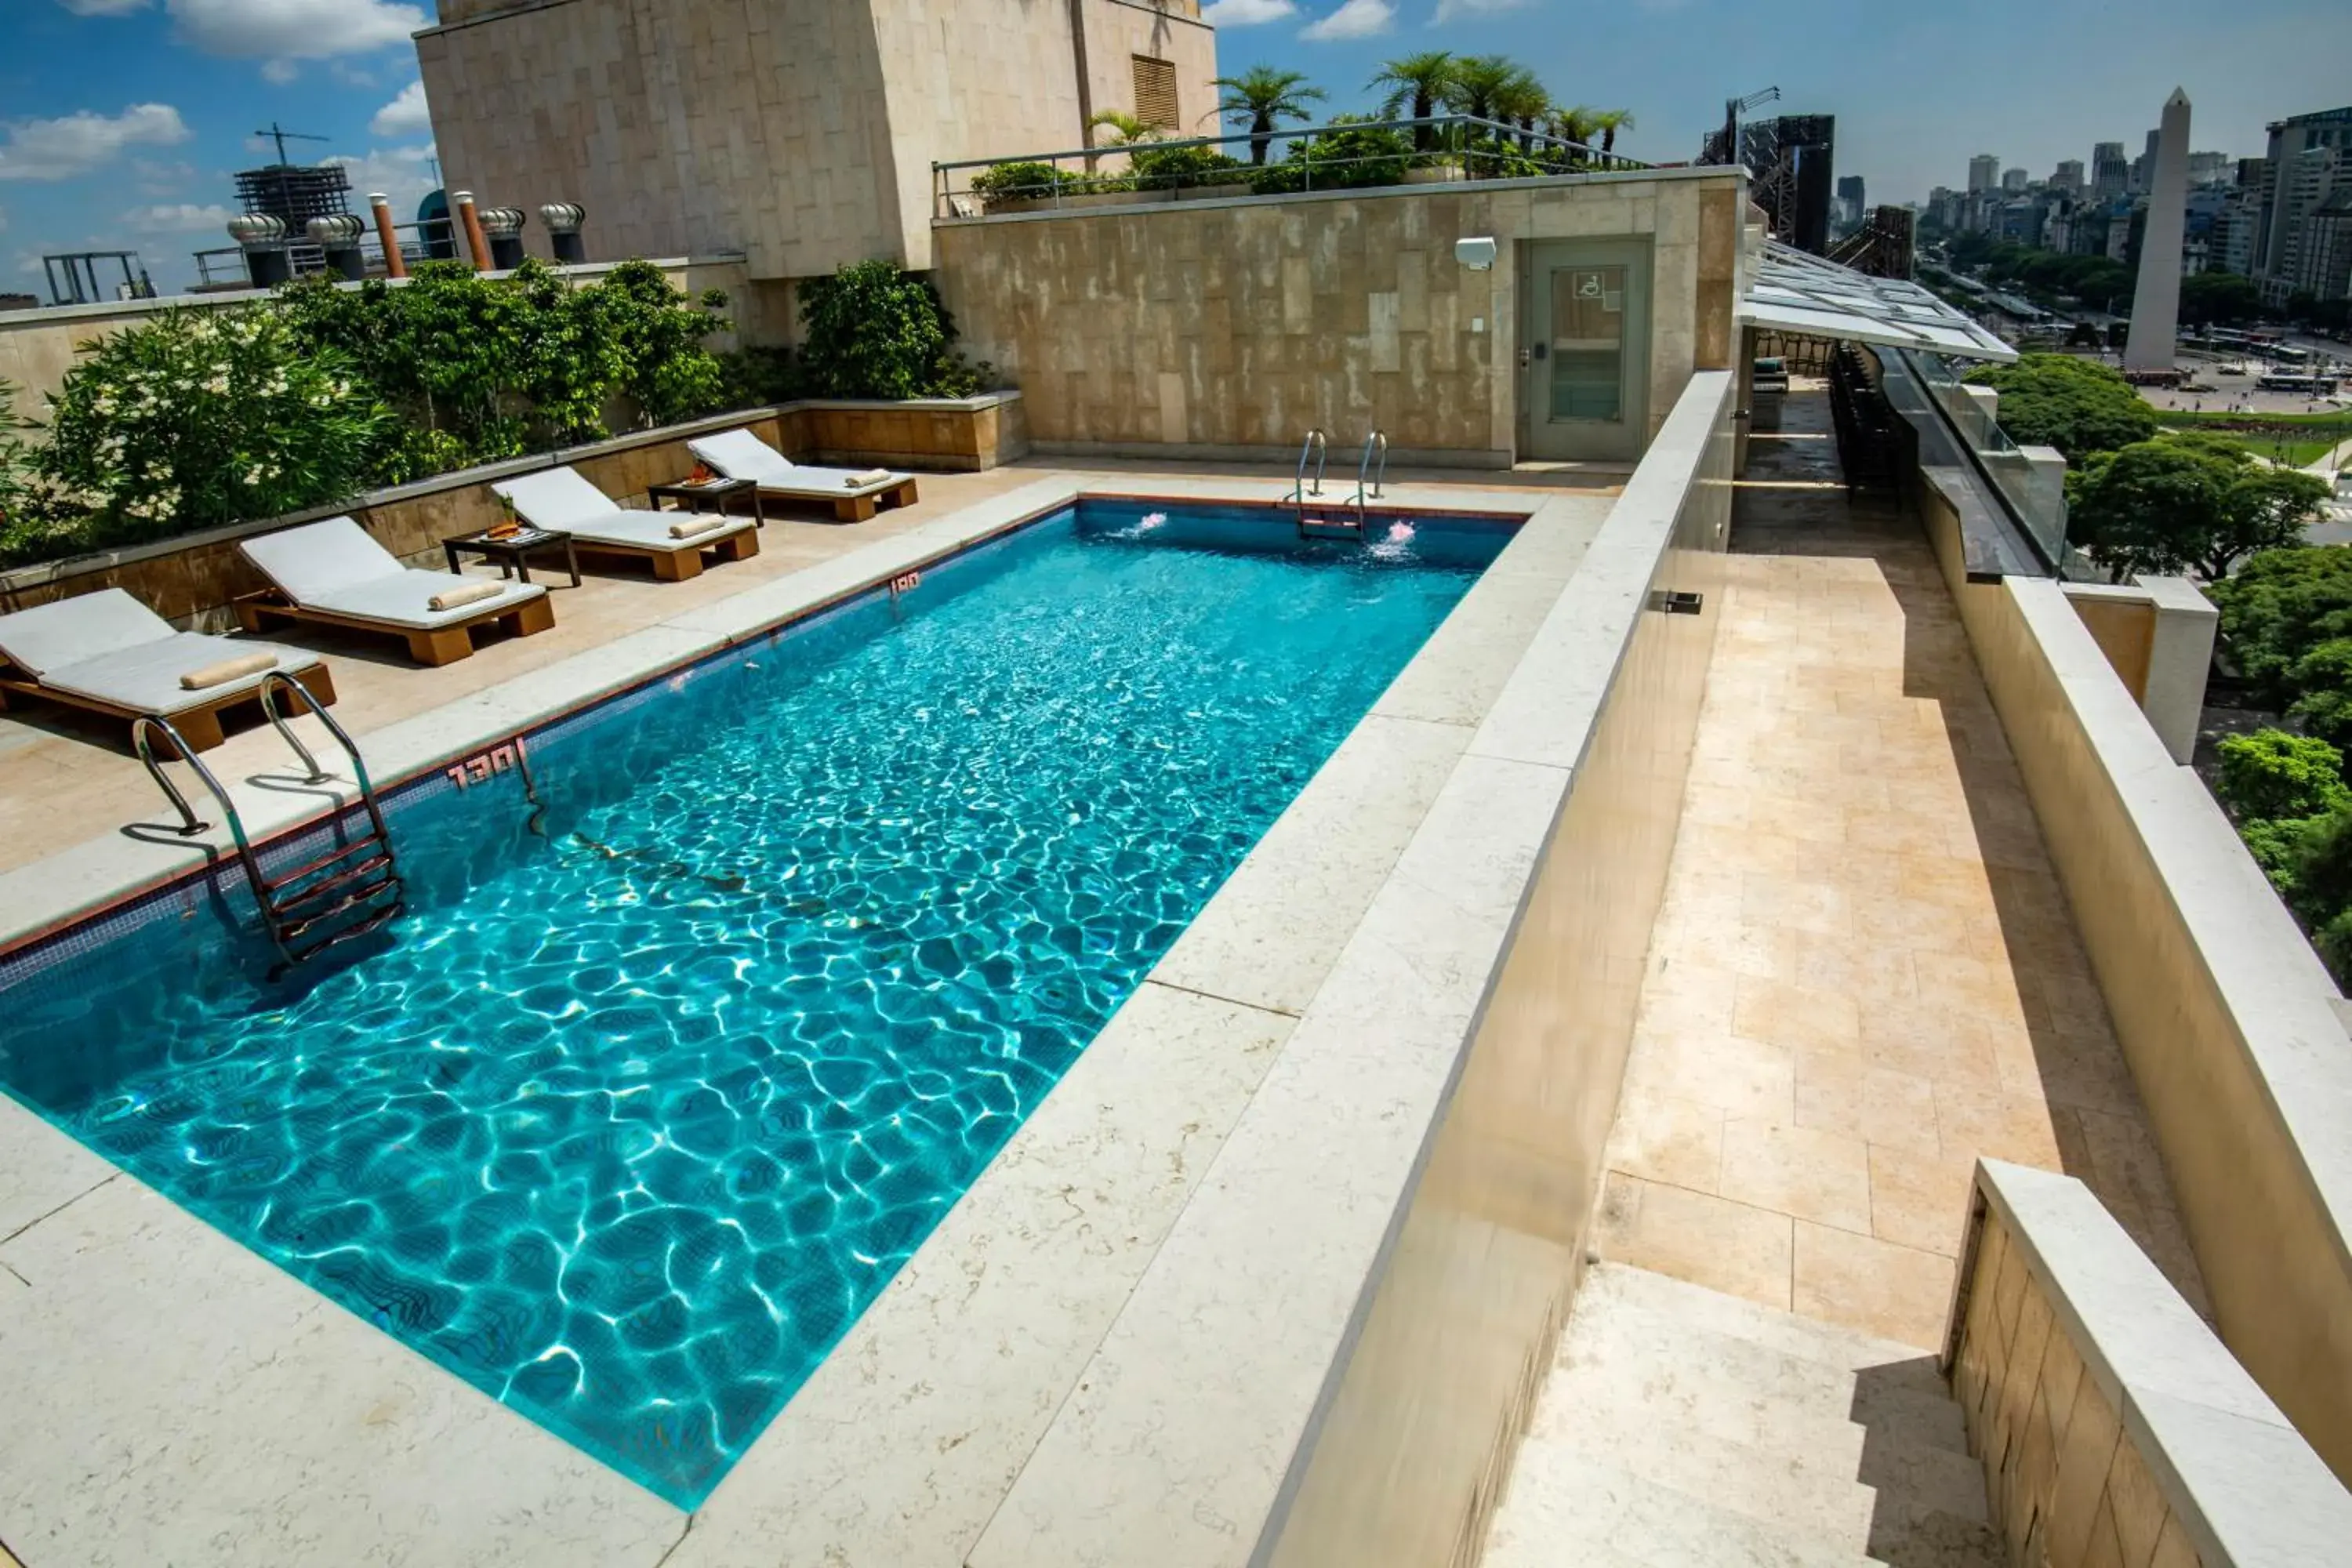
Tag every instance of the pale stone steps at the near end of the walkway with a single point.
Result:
(1683, 1426)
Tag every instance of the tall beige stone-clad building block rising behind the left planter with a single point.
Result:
(801, 135)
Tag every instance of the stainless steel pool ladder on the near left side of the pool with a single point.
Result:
(305, 911)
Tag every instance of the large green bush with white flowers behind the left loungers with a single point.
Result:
(208, 417)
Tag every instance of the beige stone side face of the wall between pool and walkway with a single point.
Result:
(1436, 1393)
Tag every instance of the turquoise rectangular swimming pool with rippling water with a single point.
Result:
(671, 1068)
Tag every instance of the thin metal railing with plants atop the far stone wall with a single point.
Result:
(1344, 156)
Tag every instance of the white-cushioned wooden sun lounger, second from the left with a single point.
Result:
(338, 575)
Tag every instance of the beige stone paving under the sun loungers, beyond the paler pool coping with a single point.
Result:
(69, 777)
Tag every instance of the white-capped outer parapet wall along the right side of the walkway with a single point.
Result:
(2224, 1012)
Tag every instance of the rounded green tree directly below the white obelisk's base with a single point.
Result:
(2186, 504)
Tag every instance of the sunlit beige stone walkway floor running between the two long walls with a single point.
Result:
(1864, 974)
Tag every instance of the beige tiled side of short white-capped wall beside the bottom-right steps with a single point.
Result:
(2066, 1482)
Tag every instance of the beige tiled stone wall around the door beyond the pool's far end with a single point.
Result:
(1245, 323)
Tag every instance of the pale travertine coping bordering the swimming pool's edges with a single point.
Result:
(175, 1398)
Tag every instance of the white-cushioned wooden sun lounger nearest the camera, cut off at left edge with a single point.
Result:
(112, 655)
